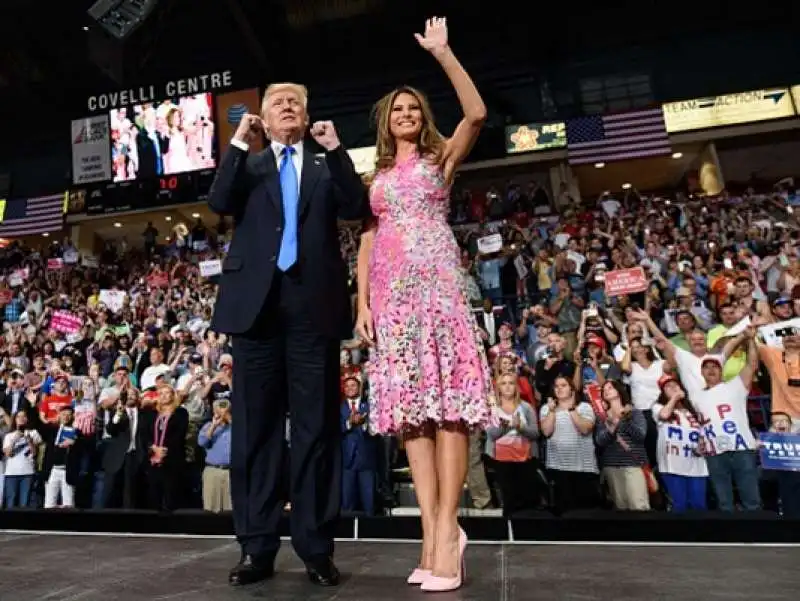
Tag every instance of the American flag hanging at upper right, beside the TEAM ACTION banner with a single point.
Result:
(600, 139)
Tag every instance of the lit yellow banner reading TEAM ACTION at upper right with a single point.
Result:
(729, 109)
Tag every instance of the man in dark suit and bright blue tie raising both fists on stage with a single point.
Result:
(283, 297)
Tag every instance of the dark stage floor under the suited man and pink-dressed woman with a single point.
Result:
(103, 568)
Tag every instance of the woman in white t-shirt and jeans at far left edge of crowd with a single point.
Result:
(20, 447)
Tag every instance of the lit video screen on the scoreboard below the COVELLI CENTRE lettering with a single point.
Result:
(163, 138)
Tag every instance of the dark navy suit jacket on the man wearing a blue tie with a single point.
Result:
(247, 187)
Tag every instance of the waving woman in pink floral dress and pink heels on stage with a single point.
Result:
(427, 373)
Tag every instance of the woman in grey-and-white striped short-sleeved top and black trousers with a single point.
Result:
(569, 451)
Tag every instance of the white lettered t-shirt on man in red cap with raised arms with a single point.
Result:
(723, 412)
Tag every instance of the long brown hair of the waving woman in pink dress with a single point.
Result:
(430, 143)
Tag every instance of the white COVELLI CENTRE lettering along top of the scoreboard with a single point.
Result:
(208, 82)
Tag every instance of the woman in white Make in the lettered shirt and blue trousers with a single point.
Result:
(680, 462)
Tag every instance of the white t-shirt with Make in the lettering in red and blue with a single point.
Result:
(678, 438)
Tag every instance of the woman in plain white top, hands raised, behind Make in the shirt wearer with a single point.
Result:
(644, 370)
